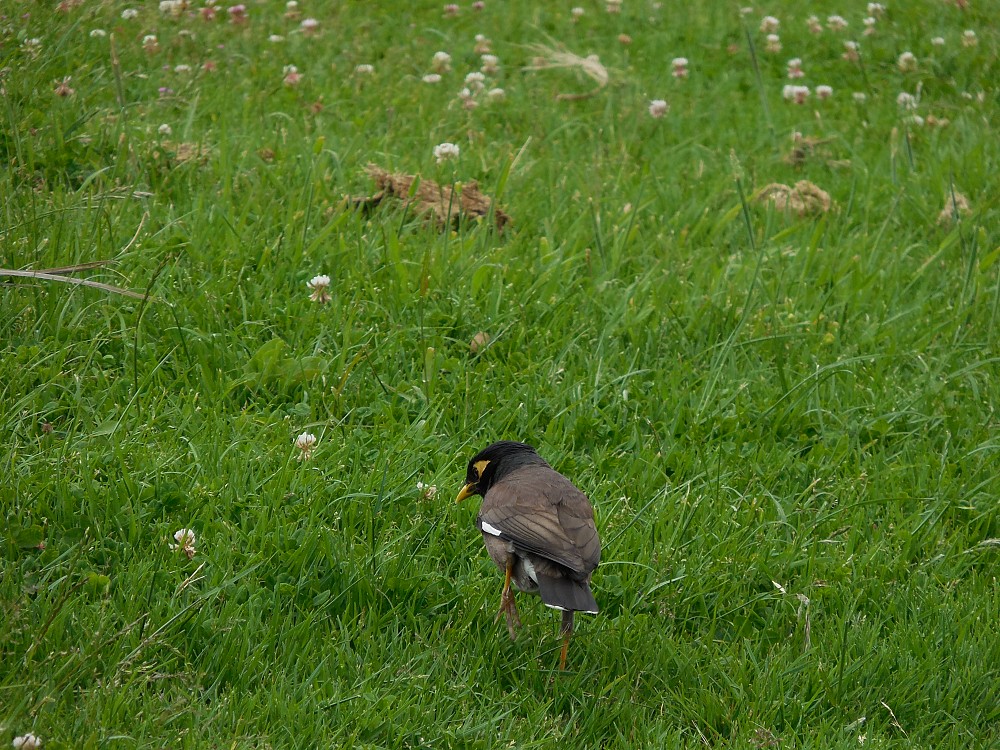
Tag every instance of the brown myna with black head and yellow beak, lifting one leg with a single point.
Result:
(539, 530)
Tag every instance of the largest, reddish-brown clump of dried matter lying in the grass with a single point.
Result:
(445, 206)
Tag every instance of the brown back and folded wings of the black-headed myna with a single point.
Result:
(540, 511)
